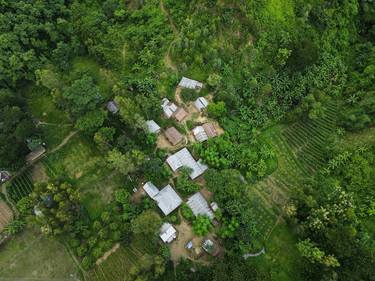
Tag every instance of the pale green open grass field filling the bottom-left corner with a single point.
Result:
(31, 256)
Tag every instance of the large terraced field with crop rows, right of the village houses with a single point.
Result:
(300, 153)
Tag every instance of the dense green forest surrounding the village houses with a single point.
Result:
(290, 82)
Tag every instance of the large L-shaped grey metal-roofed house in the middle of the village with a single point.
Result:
(183, 158)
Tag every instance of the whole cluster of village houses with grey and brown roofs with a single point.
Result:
(166, 198)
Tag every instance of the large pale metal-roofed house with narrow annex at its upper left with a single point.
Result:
(167, 199)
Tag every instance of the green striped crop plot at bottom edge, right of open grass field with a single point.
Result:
(116, 266)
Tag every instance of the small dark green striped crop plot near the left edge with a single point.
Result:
(21, 186)
